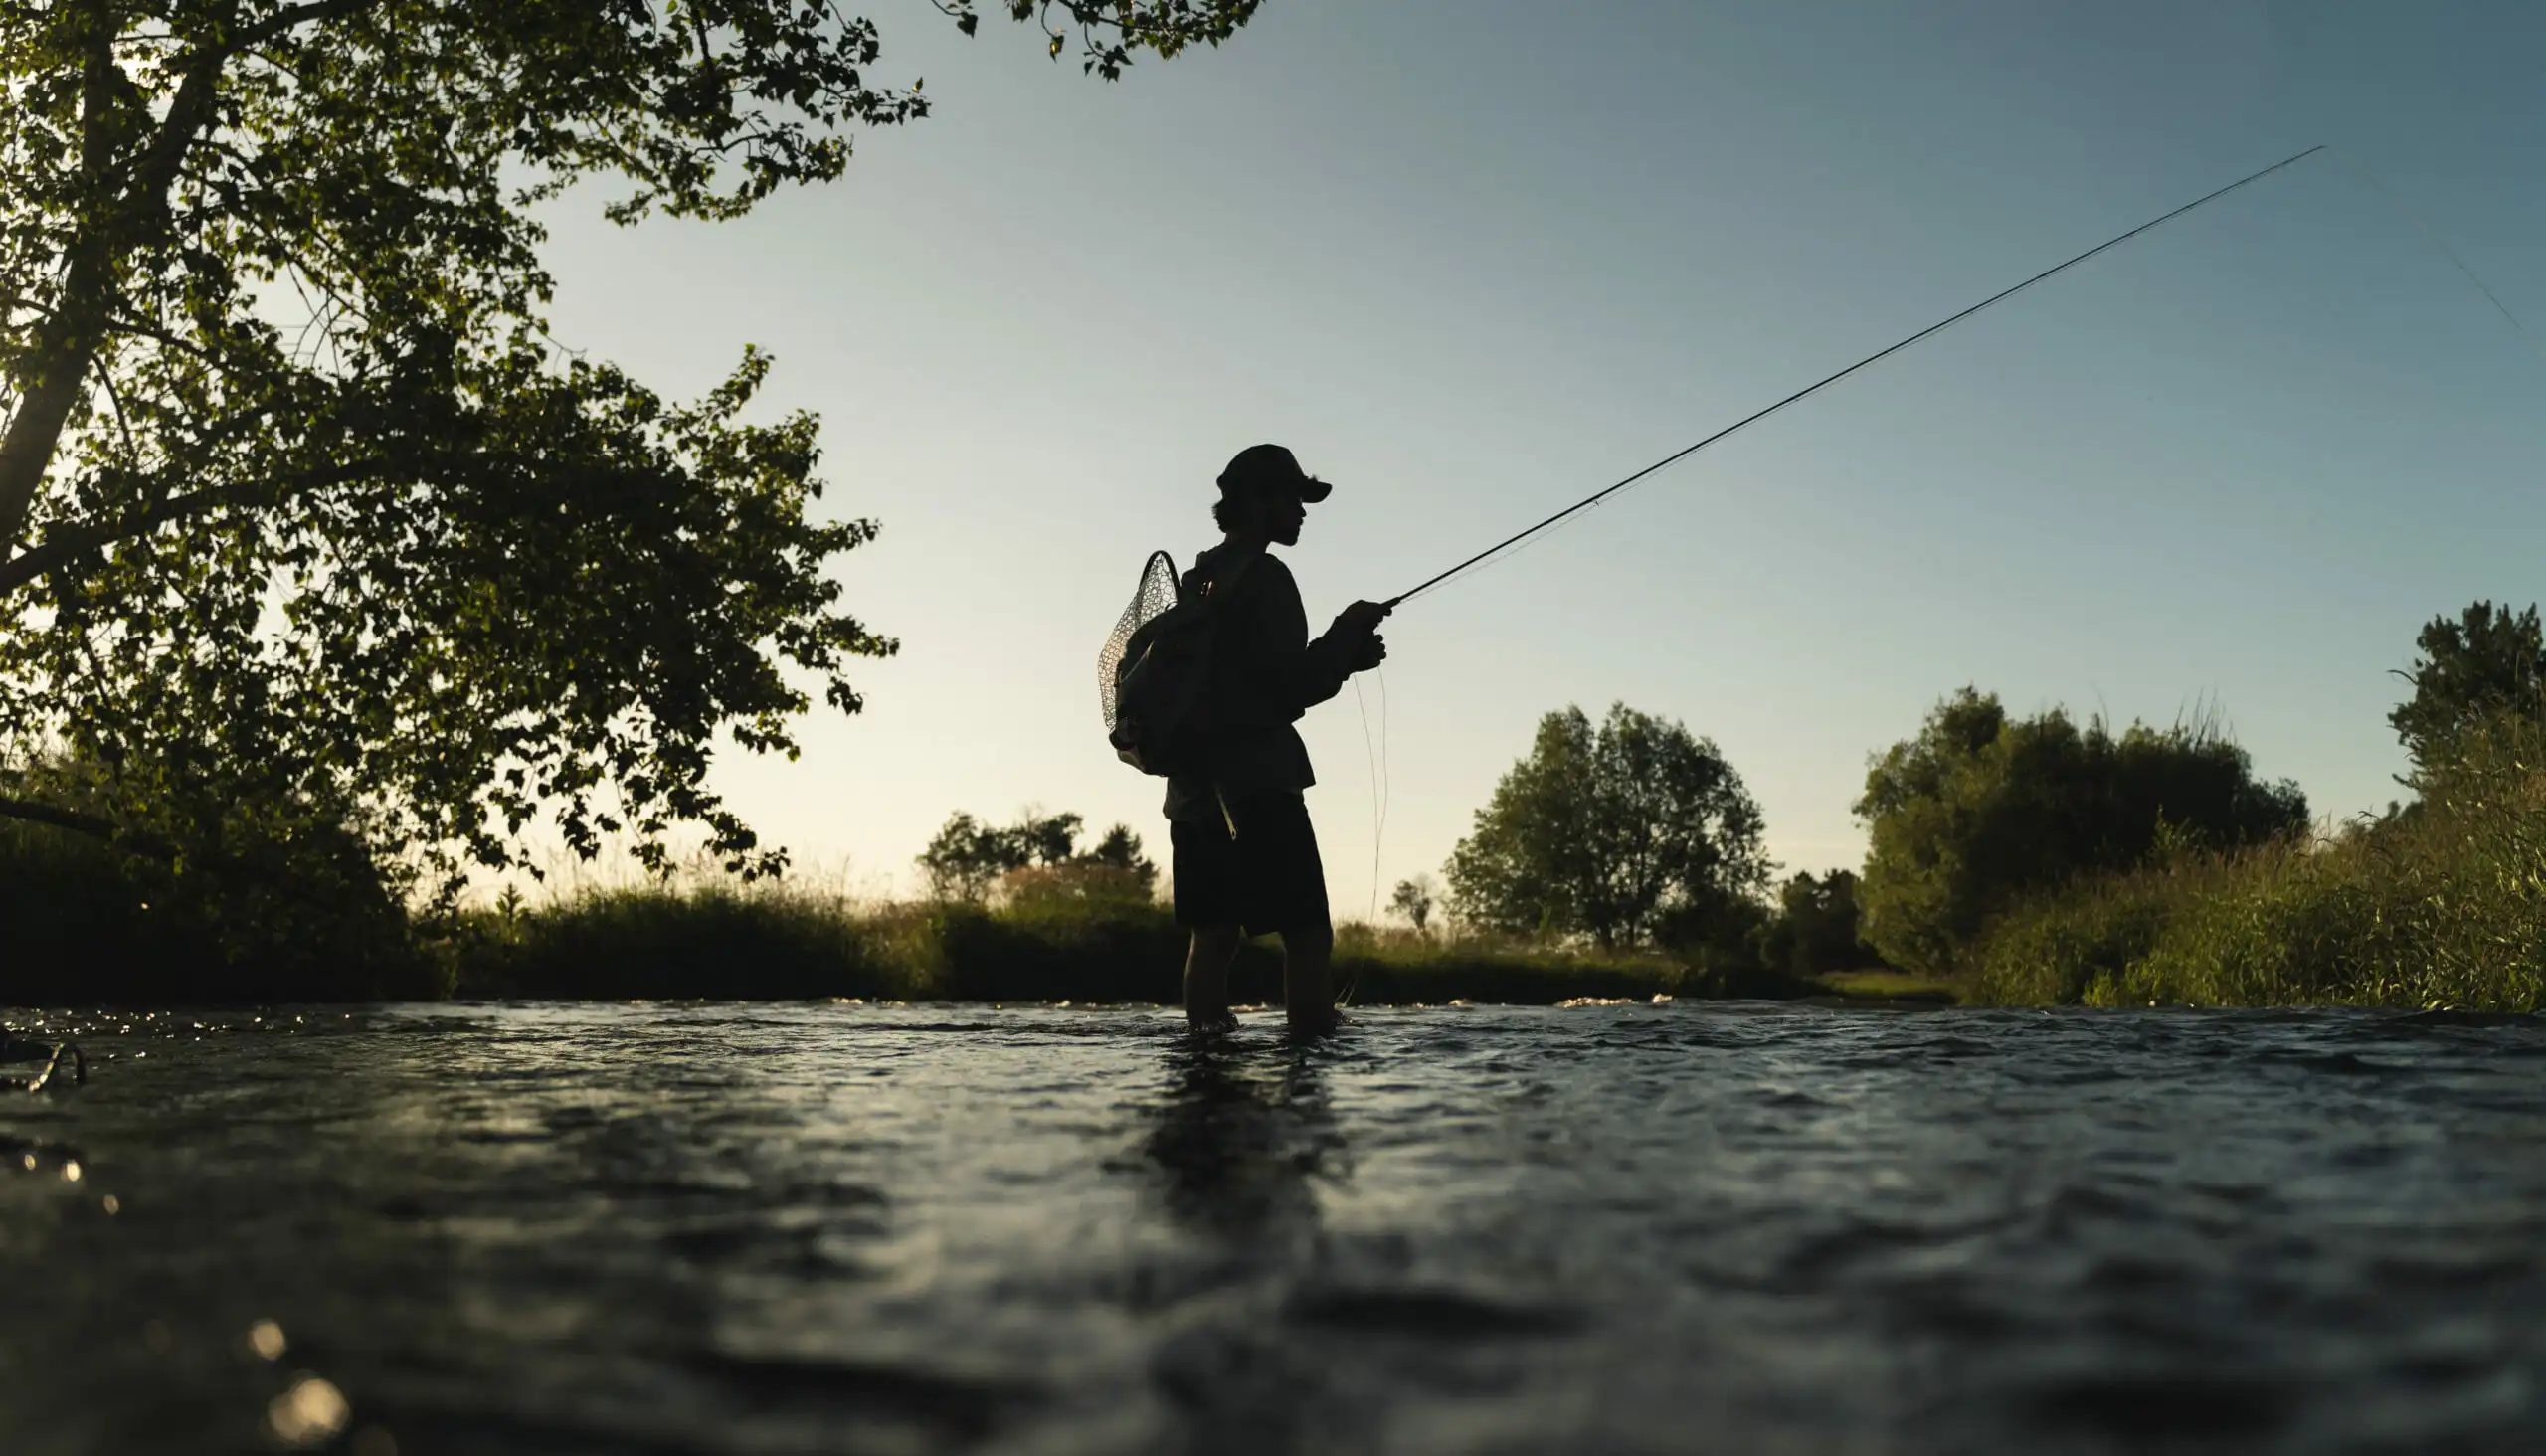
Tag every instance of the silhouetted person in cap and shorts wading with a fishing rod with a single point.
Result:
(1246, 854)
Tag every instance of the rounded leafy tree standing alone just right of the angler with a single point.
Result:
(1613, 834)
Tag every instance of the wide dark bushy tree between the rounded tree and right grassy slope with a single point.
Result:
(1982, 811)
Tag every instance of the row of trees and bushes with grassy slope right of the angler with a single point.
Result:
(2058, 862)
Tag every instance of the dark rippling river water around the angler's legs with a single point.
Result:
(1598, 1228)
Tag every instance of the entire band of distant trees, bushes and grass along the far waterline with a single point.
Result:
(2013, 859)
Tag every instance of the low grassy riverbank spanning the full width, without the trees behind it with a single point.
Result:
(2440, 905)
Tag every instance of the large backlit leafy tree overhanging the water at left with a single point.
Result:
(307, 521)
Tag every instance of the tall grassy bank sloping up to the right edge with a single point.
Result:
(2435, 907)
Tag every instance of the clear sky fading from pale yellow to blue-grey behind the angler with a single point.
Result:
(1475, 261)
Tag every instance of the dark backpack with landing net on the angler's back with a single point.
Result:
(1155, 673)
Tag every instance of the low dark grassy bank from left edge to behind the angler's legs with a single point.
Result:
(90, 925)
